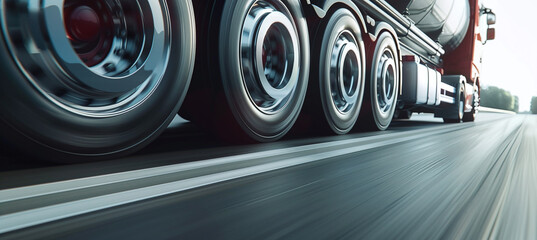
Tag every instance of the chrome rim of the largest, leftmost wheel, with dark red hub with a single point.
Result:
(107, 59)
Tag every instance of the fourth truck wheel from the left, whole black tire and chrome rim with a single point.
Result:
(382, 84)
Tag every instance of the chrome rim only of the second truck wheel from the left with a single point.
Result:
(270, 56)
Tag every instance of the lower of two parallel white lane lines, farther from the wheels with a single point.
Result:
(28, 218)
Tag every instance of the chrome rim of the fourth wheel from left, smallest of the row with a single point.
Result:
(386, 77)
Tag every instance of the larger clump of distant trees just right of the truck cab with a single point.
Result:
(495, 97)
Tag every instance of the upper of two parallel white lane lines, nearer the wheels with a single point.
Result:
(81, 183)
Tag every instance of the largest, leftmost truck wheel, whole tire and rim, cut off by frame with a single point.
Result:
(103, 86)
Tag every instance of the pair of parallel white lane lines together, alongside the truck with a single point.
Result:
(56, 211)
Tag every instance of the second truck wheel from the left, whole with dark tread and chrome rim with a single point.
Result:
(259, 50)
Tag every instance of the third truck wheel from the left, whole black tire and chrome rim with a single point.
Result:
(341, 71)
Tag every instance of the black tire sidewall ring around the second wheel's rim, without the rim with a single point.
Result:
(258, 125)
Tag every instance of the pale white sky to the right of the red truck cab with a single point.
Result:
(510, 61)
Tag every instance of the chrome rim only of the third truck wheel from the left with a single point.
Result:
(345, 72)
